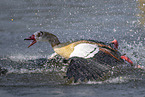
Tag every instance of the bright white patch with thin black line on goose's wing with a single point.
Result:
(85, 50)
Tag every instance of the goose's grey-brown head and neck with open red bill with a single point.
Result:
(43, 36)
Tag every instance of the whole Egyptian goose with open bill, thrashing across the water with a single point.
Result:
(89, 58)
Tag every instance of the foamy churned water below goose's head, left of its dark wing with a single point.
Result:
(21, 64)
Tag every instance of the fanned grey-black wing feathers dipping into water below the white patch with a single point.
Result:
(80, 68)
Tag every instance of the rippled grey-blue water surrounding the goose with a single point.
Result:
(104, 20)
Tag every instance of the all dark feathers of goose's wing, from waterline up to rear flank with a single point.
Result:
(91, 68)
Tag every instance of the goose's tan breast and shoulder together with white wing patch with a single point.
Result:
(84, 49)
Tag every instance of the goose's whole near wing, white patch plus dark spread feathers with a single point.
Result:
(92, 61)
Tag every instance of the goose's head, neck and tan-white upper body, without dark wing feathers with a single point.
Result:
(82, 48)
